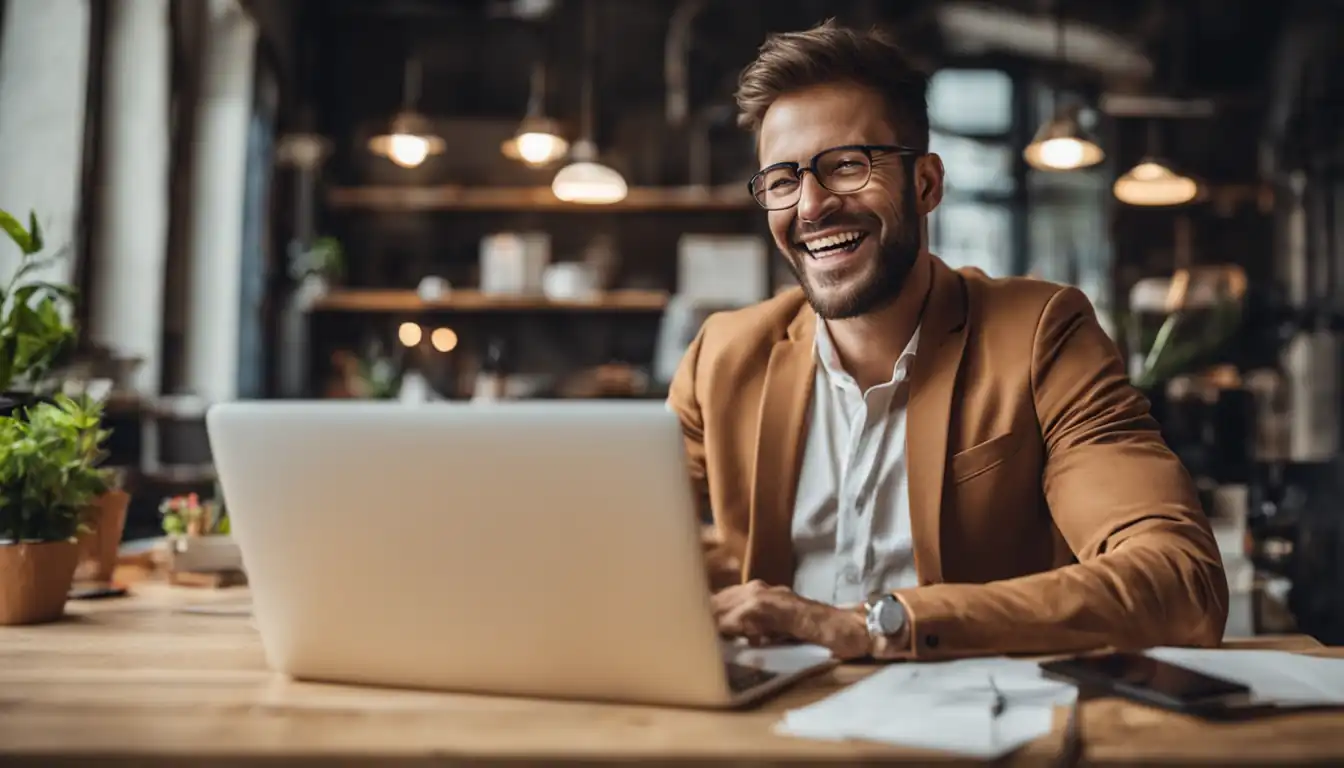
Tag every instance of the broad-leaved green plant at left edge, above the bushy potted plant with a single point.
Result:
(36, 330)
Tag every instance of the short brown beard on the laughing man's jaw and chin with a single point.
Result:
(881, 286)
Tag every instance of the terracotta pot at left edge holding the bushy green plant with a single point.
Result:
(36, 580)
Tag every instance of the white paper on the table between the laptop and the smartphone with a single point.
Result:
(944, 707)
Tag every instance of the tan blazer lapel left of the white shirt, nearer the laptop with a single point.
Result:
(786, 403)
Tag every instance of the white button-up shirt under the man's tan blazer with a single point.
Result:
(851, 519)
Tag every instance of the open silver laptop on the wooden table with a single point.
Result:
(546, 549)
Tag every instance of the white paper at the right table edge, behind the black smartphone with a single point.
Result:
(1276, 677)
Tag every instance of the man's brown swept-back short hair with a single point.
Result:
(834, 54)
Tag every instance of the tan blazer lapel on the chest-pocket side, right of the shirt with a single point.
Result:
(943, 340)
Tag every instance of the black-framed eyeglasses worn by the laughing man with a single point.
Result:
(839, 170)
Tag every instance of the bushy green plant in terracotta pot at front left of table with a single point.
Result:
(50, 477)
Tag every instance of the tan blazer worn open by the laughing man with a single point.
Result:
(1048, 513)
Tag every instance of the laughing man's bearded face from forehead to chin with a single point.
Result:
(885, 215)
